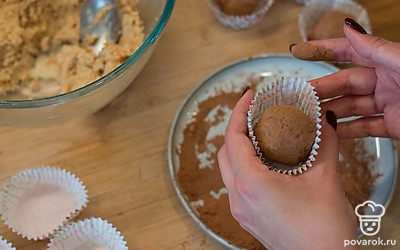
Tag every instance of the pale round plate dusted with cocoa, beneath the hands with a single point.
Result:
(233, 78)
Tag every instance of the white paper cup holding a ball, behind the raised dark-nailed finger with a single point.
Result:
(313, 11)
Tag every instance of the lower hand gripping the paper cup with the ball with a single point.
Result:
(309, 211)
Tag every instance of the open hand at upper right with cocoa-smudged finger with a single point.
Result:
(371, 91)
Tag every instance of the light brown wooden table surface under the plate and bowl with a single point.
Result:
(120, 153)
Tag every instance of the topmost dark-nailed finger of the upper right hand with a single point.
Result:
(377, 49)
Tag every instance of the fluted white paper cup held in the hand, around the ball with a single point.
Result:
(286, 91)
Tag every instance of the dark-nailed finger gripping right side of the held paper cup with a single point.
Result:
(328, 152)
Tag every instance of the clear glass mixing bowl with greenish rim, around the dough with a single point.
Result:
(92, 97)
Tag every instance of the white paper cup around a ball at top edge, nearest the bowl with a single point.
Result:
(240, 22)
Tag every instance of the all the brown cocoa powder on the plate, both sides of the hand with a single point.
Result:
(197, 183)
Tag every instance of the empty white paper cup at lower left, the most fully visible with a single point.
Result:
(37, 201)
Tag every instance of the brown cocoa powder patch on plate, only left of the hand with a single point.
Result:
(196, 183)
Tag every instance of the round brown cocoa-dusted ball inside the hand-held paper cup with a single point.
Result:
(285, 134)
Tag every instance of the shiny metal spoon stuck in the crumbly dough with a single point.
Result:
(100, 22)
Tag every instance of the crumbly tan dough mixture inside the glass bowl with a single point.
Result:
(40, 46)
